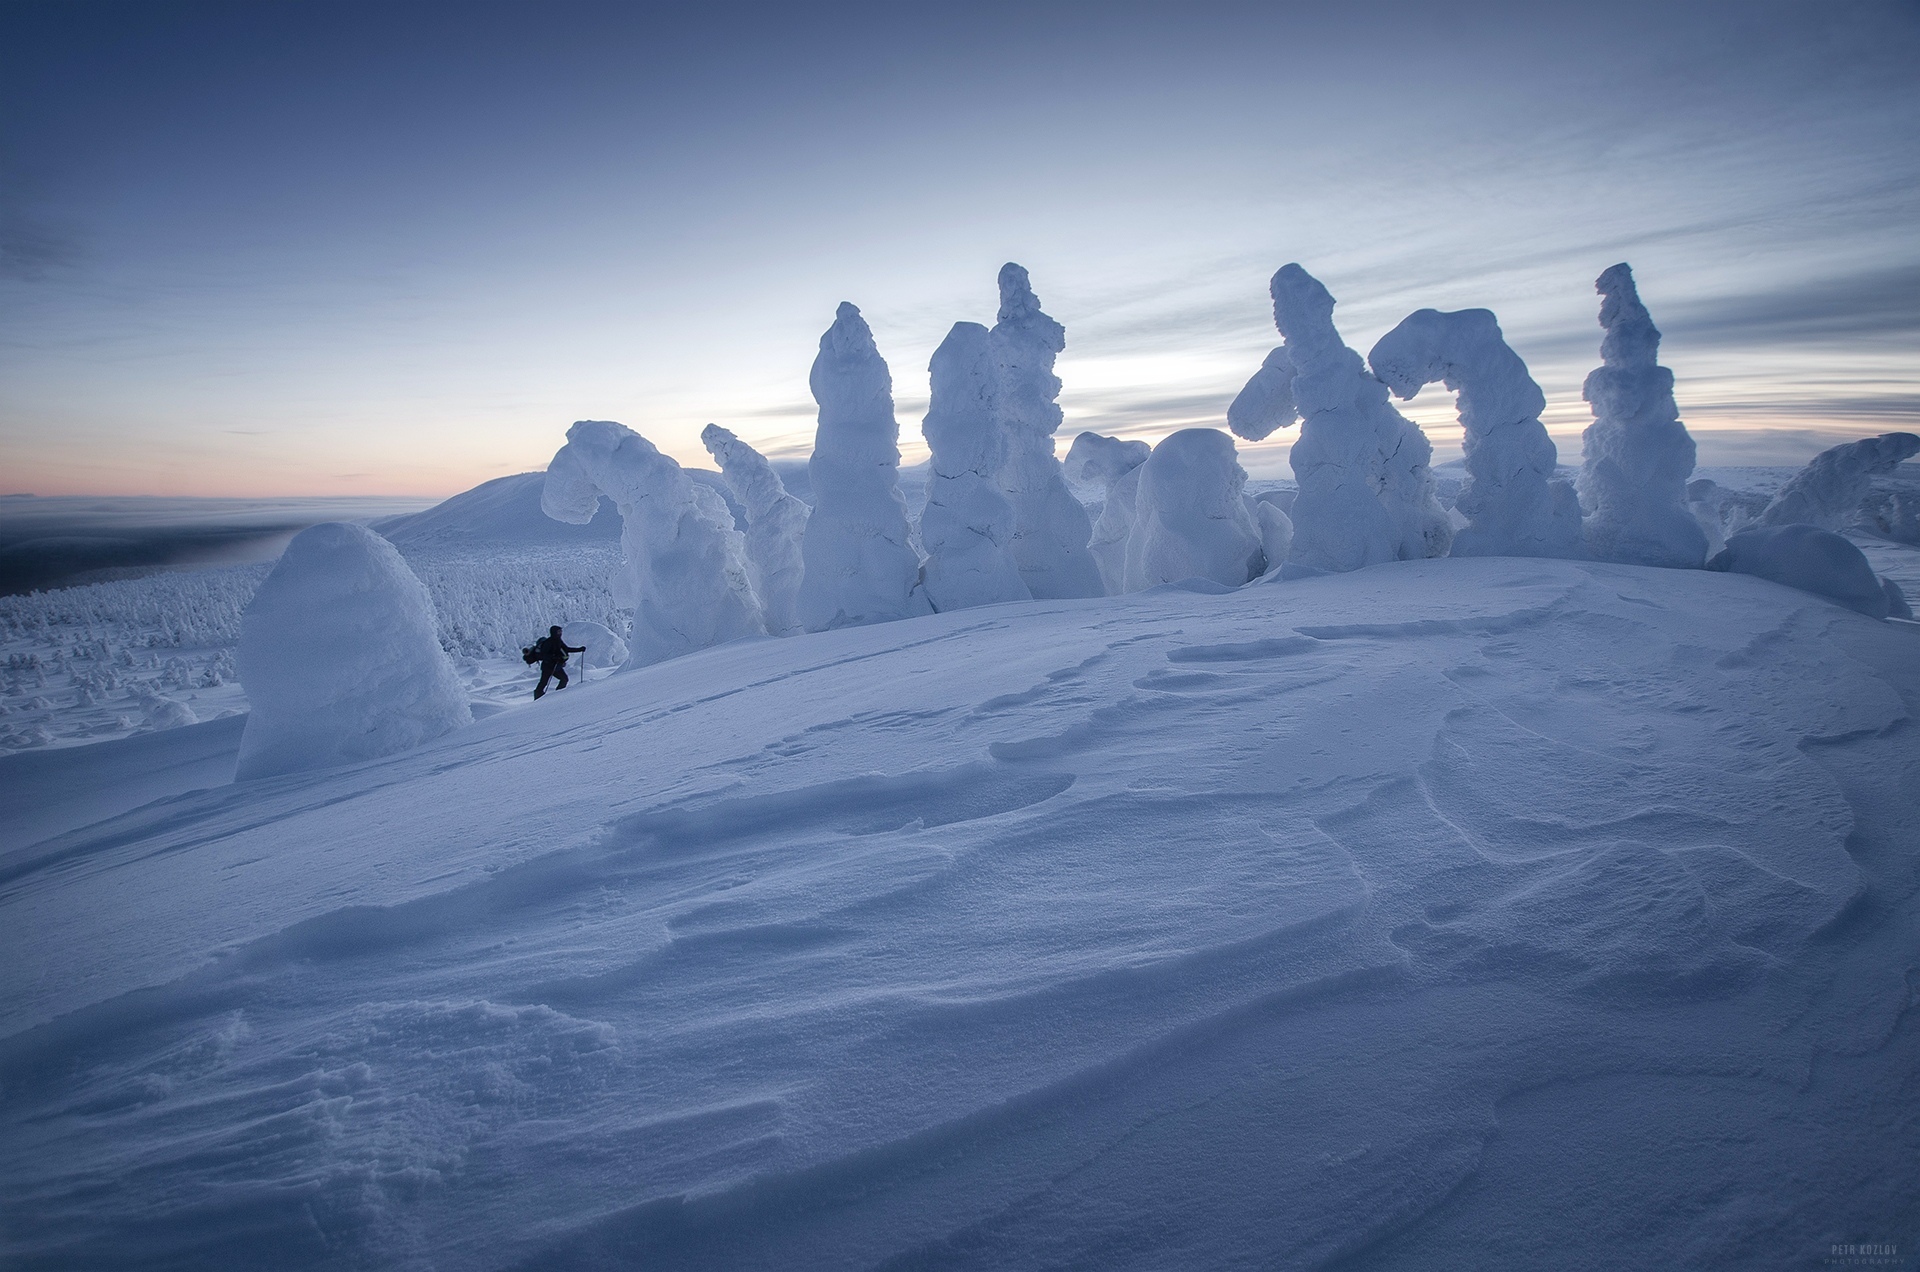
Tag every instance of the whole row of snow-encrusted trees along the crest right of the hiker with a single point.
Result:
(1001, 522)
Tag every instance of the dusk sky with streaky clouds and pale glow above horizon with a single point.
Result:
(291, 249)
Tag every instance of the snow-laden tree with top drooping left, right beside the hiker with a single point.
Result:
(686, 566)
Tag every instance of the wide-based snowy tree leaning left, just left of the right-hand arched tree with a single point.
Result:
(1364, 470)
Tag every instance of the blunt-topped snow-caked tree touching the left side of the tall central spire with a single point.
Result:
(969, 524)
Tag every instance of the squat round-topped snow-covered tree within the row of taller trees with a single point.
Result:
(1189, 520)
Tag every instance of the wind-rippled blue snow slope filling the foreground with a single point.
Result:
(1497, 914)
